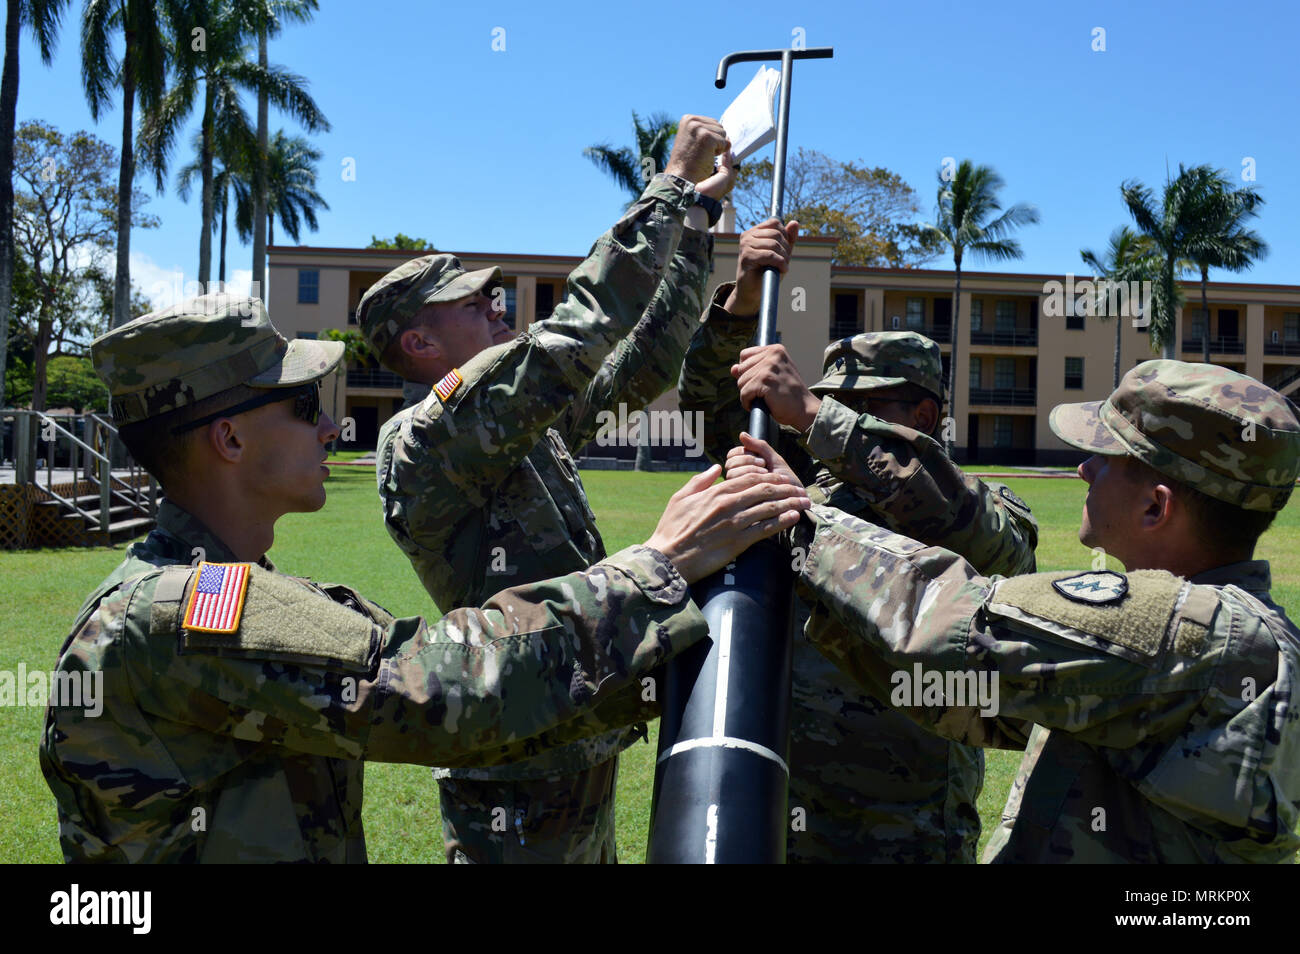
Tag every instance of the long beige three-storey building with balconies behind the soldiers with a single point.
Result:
(1019, 353)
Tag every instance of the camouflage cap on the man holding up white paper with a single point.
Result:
(395, 300)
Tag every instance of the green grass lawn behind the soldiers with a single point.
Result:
(348, 543)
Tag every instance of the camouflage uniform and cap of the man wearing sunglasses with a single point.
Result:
(248, 747)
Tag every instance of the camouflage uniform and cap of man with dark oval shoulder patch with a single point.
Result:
(1159, 713)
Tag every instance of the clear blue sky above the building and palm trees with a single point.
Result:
(480, 150)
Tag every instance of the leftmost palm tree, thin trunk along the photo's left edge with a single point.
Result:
(42, 19)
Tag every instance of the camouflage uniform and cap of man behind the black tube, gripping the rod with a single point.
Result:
(873, 784)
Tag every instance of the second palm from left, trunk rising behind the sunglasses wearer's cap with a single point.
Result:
(142, 75)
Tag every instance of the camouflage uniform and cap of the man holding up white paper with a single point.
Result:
(480, 489)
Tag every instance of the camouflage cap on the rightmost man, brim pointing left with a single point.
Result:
(1220, 432)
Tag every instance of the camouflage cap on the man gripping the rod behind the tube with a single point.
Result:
(882, 359)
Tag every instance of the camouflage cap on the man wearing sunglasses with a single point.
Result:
(190, 352)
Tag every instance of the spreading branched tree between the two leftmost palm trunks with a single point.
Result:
(66, 214)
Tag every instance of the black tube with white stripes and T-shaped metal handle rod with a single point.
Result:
(722, 777)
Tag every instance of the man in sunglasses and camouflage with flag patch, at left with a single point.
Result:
(240, 736)
